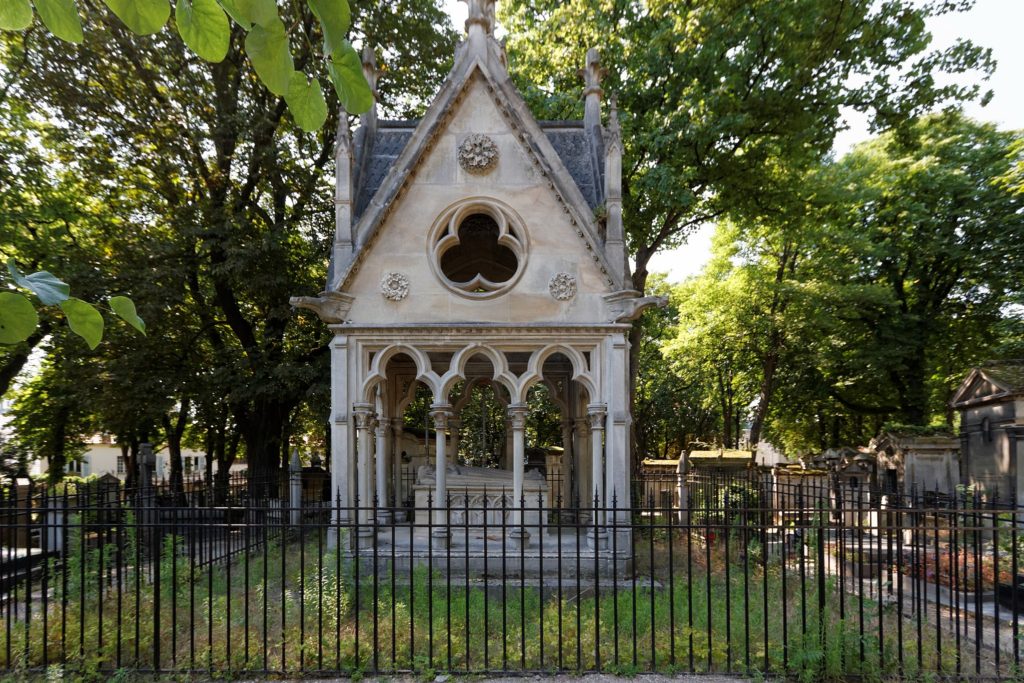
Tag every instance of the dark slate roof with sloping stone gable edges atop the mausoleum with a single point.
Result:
(563, 152)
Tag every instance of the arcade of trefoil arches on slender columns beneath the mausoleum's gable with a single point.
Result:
(399, 464)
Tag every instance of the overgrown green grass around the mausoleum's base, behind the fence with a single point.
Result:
(309, 617)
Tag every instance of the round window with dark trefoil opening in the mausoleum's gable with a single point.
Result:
(479, 248)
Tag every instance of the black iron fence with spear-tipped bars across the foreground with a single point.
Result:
(813, 581)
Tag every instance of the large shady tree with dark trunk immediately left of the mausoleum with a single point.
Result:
(231, 209)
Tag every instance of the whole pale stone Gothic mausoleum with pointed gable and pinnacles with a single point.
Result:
(480, 248)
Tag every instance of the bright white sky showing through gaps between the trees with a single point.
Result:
(995, 24)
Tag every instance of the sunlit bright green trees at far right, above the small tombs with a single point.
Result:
(870, 297)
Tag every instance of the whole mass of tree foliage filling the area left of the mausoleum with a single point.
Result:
(209, 245)
